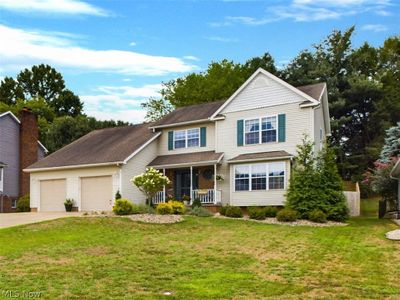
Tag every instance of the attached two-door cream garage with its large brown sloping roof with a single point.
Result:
(92, 169)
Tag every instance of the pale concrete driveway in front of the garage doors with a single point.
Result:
(15, 219)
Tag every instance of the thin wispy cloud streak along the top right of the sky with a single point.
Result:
(309, 11)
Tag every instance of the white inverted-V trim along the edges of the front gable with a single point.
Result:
(272, 77)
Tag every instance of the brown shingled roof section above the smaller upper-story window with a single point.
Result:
(189, 114)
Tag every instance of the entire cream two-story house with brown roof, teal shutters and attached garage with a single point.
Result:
(235, 152)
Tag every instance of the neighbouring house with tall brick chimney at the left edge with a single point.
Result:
(19, 148)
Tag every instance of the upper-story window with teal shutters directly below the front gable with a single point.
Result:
(261, 130)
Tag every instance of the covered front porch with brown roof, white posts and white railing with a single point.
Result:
(192, 175)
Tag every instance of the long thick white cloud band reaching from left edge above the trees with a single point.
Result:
(22, 48)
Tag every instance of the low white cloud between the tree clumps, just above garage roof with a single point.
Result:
(119, 102)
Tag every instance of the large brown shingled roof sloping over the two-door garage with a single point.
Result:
(105, 146)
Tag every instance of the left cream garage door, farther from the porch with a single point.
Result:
(52, 195)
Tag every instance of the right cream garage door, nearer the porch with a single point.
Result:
(96, 193)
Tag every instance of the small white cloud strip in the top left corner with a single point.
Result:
(69, 7)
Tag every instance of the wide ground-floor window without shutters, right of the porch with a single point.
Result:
(266, 176)
